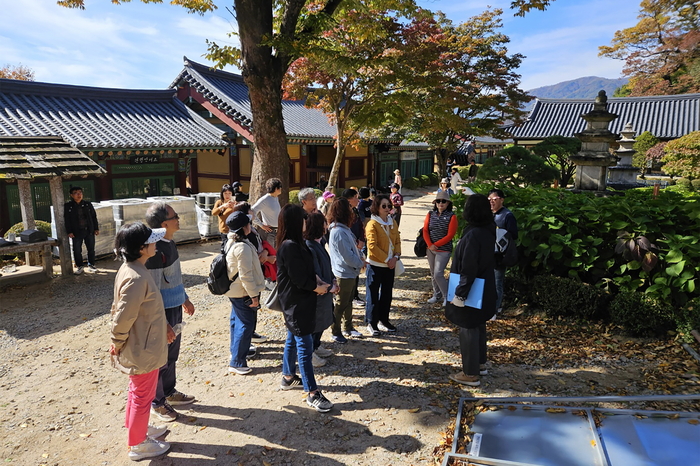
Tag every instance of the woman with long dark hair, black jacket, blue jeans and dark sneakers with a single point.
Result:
(297, 287)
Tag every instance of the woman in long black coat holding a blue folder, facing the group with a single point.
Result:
(474, 257)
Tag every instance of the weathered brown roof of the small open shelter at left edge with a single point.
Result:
(42, 157)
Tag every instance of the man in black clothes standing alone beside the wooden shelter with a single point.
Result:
(81, 226)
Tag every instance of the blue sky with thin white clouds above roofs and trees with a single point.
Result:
(140, 46)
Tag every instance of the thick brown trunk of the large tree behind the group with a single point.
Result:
(262, 72)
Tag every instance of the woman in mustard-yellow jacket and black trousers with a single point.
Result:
(383, 251)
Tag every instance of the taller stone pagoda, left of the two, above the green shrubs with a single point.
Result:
(593, 160)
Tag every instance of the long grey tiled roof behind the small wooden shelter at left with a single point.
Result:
(91, 117)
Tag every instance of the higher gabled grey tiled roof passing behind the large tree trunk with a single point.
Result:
(228, 93)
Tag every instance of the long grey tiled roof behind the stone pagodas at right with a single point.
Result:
(666, 117)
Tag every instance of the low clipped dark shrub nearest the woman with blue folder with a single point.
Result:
(559, 296)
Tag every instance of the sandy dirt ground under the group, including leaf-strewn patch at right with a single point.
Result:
(64, 405)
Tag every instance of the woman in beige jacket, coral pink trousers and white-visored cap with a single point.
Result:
(140, 335)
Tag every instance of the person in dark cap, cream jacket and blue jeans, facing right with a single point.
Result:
(244, 293)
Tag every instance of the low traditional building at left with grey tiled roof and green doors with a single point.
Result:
(146, 140)
